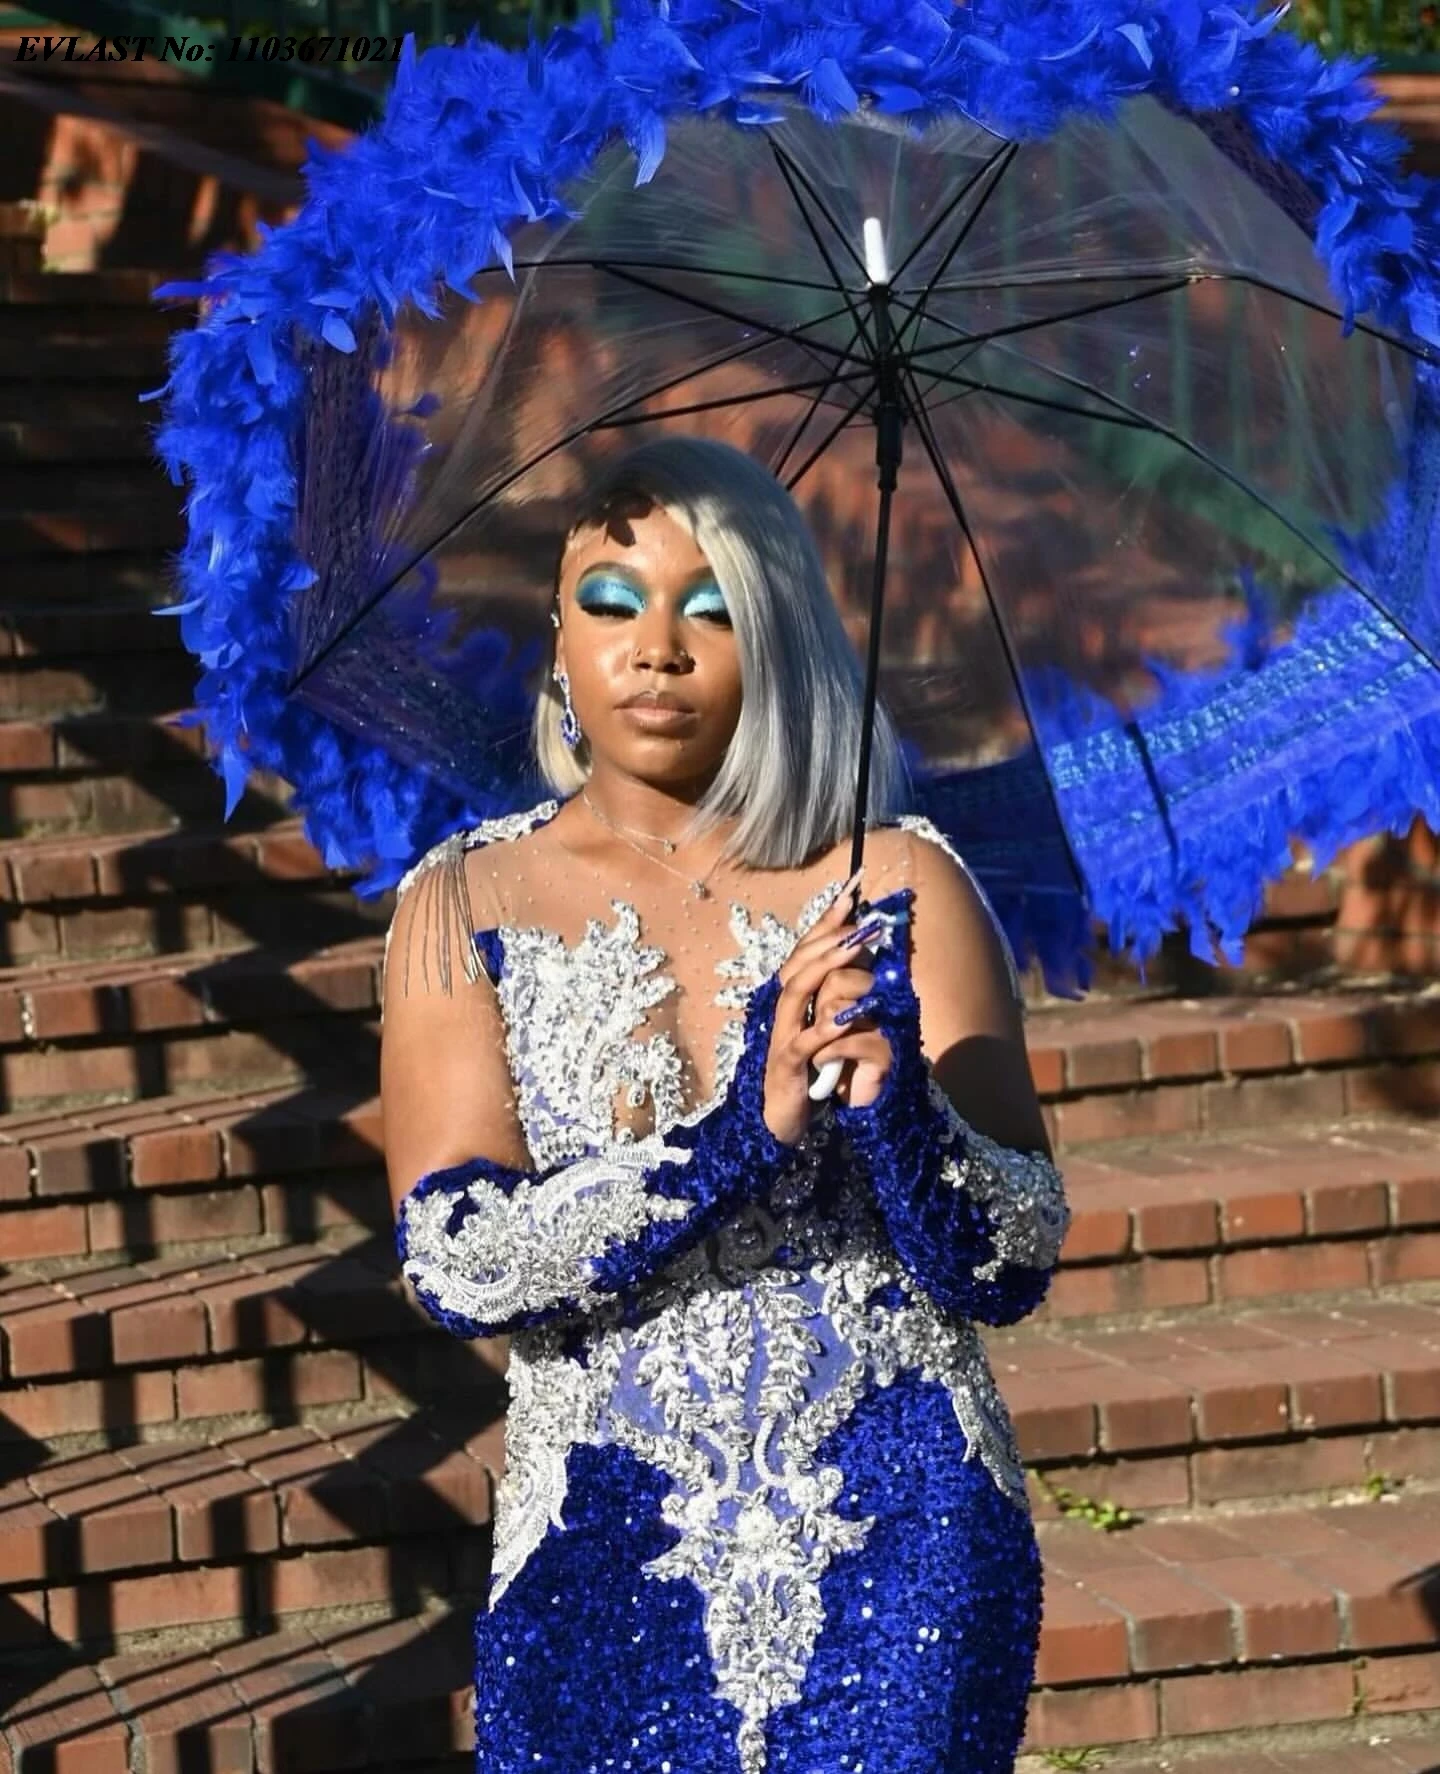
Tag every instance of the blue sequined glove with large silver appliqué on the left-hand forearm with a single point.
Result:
(492, 1250)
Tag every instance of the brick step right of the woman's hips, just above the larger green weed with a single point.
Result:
(1203, 1408)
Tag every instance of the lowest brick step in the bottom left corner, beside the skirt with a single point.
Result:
(290, 1700)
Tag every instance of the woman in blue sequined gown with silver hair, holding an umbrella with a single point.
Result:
(762, 1503)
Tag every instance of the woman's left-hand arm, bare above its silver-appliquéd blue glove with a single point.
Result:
(489, 1243)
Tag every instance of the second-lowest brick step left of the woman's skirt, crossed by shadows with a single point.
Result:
(235, 1498)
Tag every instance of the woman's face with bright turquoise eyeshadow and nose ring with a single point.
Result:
(643, 616)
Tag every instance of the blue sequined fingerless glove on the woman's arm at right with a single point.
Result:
(978, 1225)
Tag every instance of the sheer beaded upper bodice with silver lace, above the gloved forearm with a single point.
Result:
(648, 978)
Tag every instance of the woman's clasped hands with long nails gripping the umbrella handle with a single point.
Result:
(831, 966)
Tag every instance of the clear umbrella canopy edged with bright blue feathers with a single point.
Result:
(1161, 540)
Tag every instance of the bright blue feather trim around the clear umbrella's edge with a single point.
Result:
(478, 141)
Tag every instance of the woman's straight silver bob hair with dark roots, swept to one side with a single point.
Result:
(790, 767)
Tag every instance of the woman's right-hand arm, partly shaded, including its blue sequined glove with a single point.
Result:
(955, 1142)
